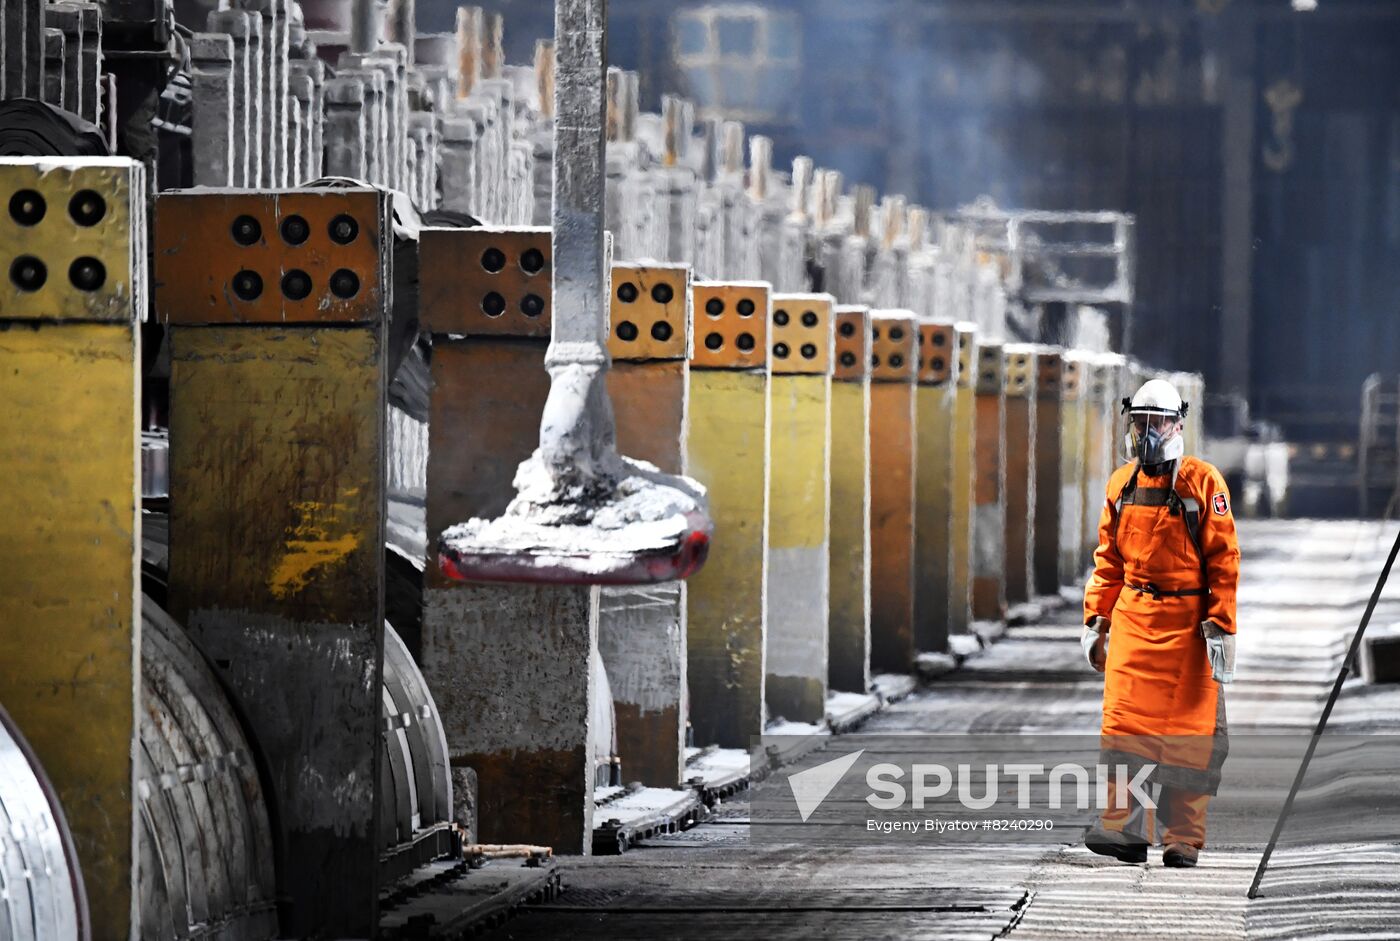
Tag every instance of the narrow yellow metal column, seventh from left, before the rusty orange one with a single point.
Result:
(849, 631)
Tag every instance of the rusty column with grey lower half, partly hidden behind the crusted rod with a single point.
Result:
(500, 659)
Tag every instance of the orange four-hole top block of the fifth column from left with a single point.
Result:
(731, 326)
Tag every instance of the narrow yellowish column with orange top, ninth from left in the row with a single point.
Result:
(933, 526)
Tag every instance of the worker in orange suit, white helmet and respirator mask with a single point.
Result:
(1160, 624)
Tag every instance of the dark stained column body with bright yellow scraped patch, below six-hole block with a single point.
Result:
(276, 569)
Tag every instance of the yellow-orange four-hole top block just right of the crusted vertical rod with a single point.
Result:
(650, 313)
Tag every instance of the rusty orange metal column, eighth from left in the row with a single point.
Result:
(894, 369)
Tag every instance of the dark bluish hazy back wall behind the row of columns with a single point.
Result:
(1259, 148)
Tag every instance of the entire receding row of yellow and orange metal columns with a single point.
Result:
(808, 424)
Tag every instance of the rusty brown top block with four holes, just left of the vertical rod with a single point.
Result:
(486, 282)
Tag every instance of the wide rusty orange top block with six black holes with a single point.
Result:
(293, 257)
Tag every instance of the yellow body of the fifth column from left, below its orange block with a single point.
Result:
(727, 449)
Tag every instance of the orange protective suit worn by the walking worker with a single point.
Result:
(1156, 585)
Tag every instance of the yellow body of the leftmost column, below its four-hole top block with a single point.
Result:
(69, 568)
